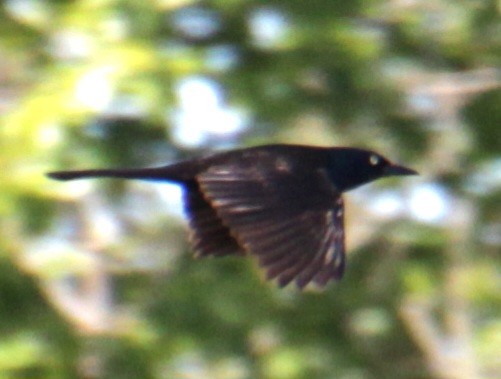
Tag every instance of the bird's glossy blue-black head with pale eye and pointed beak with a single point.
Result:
(350, 168)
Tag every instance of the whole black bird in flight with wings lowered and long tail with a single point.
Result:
(280, 203)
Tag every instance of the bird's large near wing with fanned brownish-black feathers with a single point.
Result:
(293, 224)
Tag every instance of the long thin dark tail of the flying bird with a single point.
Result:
(171, 173)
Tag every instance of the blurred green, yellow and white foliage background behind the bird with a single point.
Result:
(96, 277)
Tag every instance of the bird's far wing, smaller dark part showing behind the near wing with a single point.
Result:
(208, 234)
